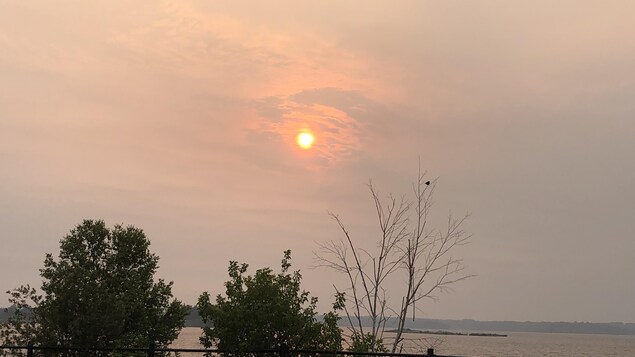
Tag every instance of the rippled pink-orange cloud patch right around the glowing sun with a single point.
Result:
(340, 119)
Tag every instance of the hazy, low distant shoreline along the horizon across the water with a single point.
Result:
(470, 326)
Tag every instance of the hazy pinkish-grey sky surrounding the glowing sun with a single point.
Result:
(180, 118)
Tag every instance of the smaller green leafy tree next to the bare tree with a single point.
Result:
(267, 311)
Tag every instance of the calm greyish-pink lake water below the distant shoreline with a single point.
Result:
(516, 344)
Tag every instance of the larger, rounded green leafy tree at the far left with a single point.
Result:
(99, 292)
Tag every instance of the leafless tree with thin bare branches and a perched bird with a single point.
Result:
(407, 248)
